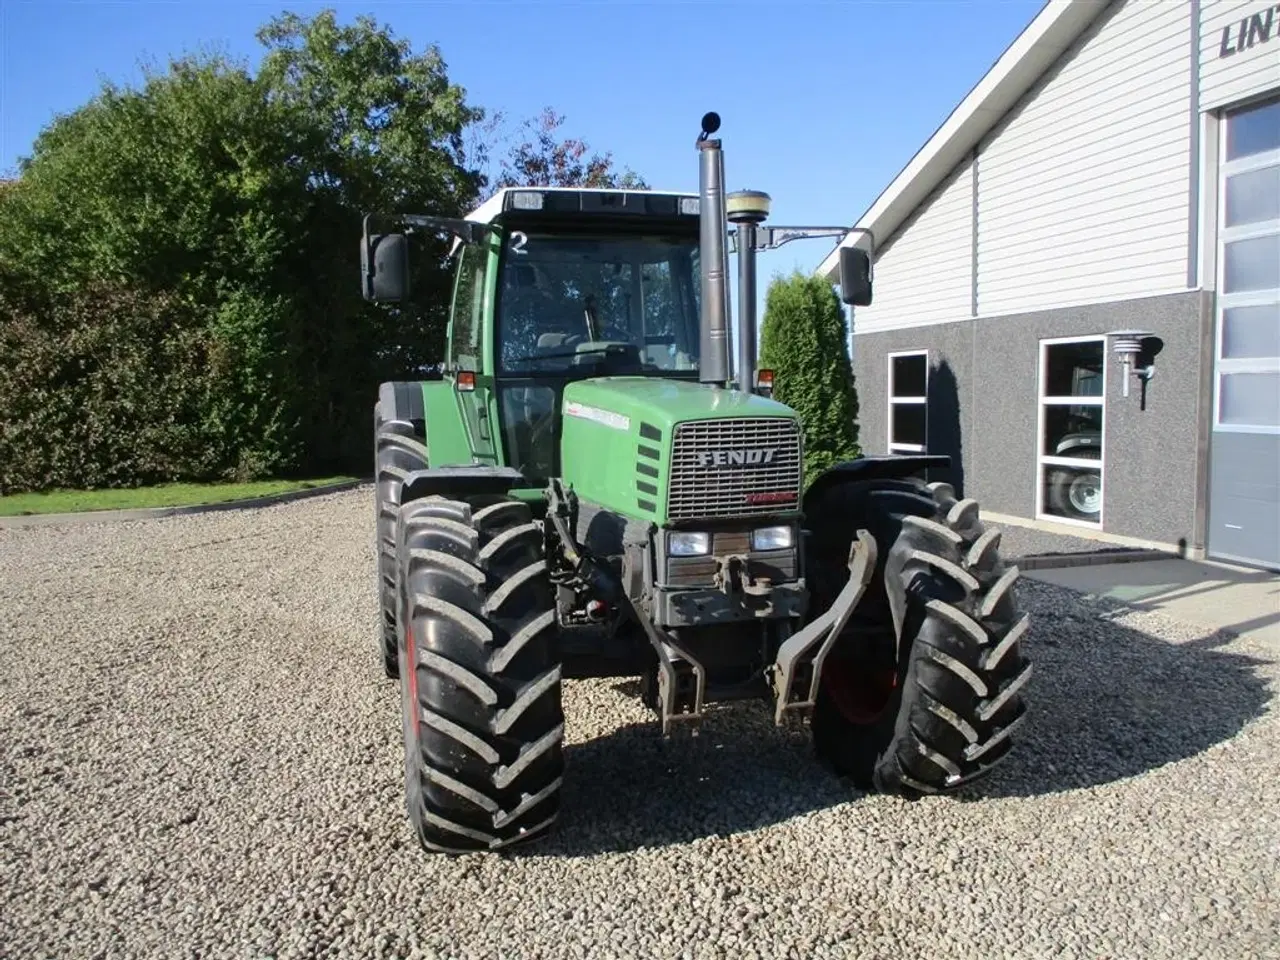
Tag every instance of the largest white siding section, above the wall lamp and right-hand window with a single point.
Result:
(1084, 193)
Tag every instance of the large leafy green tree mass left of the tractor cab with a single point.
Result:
(239, 199)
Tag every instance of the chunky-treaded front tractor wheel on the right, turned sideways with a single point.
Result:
(941, 717)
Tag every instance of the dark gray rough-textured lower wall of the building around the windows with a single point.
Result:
(984, 381)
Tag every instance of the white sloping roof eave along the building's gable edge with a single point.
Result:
(1037, 48)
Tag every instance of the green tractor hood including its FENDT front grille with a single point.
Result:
(625, 446)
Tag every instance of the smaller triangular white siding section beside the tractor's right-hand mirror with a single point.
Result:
(925, 275)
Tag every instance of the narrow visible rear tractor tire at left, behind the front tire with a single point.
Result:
(400, 449)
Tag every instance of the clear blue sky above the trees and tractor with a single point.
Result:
(822, 102)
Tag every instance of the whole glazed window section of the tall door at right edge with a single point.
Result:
(1247, 383)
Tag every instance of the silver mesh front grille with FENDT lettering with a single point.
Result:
(720, 469)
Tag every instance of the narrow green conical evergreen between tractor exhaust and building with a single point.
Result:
(803, 340)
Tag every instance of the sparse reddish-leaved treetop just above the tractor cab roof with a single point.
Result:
(546, 161)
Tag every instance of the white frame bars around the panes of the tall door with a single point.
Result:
(1226, 301)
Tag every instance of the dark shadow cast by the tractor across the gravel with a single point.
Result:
(1108, 703)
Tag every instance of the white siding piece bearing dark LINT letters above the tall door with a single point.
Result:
(1242, 74)
